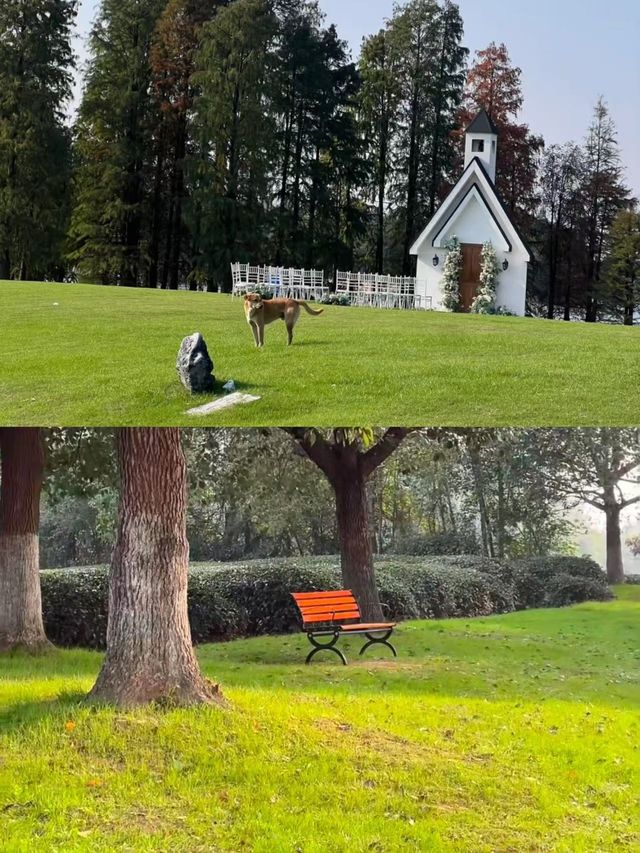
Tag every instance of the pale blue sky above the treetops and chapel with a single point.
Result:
(570, 52)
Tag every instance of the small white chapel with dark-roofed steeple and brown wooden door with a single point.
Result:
(474, 213)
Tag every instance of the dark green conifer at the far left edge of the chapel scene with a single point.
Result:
(36, 63)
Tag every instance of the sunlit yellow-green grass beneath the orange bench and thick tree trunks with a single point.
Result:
(515, 733)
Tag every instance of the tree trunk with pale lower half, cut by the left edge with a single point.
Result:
(22, 457)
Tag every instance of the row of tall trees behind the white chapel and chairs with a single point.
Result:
(242, 130)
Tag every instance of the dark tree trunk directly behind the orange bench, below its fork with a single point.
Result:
(352, 512)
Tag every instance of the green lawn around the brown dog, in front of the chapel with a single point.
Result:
(82, 355)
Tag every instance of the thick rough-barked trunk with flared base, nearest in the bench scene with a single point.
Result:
(150, 656)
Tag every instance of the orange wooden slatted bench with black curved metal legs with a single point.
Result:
(332, 614)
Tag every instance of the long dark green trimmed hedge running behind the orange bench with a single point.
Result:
(230, 600)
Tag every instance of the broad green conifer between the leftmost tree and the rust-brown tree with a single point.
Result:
(114, 145)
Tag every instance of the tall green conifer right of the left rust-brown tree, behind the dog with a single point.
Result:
(235, 138)
